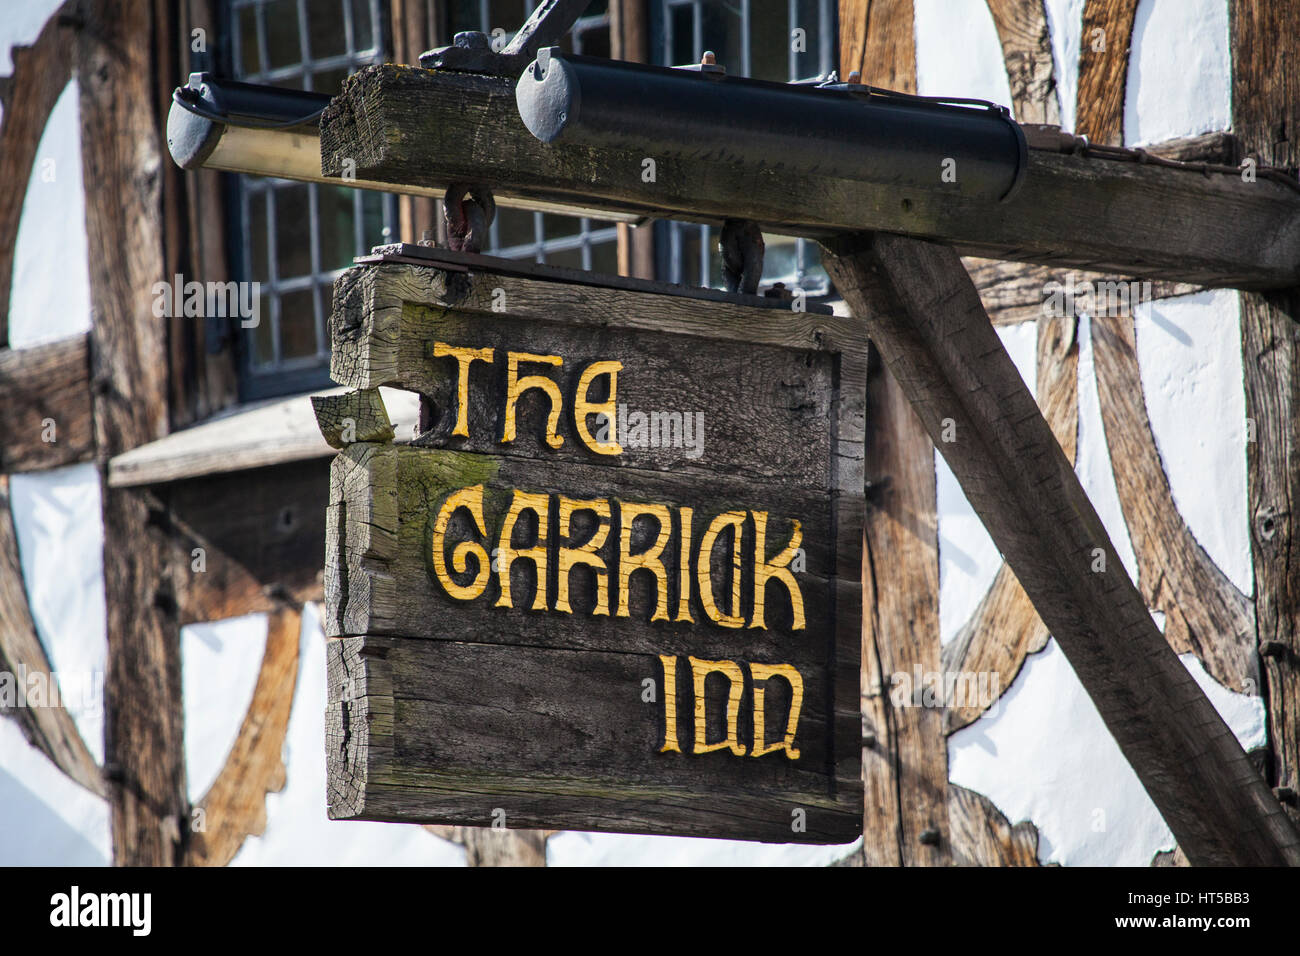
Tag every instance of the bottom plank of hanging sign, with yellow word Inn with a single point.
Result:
(432, 733)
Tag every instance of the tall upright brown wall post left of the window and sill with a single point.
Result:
(122, 157)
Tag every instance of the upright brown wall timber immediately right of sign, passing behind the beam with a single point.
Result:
(904, 752)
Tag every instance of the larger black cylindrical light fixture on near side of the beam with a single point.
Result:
(844, 131)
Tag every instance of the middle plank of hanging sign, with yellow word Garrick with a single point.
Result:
(384, 499)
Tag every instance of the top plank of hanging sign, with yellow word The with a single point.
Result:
(664, 414)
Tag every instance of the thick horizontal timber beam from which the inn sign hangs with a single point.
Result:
(414, 128)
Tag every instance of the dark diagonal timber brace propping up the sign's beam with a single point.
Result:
(925, 315)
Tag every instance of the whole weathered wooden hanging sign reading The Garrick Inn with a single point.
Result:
(616, 583)
